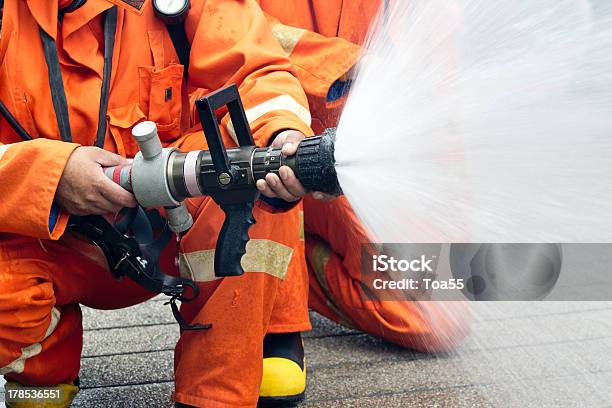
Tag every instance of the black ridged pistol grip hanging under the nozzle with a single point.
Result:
(234, 235)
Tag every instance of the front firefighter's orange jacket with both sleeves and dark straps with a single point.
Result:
(231, 43)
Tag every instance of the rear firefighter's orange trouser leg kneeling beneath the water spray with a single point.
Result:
(333, 239)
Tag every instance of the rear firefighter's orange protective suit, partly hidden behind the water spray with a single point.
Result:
(323, 38)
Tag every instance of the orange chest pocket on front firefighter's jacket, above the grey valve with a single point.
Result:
(160, 98)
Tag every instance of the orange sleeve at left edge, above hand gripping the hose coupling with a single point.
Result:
(29, 174)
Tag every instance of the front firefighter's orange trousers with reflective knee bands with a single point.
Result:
(42, 283)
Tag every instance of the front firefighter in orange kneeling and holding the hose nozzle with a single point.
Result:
(77, 76)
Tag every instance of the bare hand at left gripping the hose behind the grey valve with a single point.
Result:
(85, 190)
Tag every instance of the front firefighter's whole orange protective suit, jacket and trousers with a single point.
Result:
(43, 279)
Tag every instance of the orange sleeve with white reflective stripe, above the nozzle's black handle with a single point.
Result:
(232, 43)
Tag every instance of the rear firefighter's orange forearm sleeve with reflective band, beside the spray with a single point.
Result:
(319, 60)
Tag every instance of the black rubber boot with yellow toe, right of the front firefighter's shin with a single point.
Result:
(283, 382)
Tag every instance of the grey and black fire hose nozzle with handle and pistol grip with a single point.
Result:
(165, 177)
